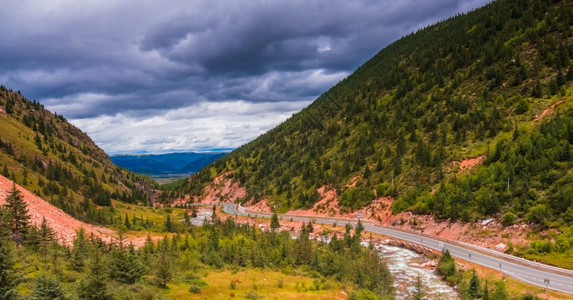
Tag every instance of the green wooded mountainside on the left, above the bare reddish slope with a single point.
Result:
(45, 154)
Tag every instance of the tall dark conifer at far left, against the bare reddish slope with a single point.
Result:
(18, 214)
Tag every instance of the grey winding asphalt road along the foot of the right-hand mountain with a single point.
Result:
(541, 275)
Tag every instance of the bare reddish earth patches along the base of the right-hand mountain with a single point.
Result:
(487, 233)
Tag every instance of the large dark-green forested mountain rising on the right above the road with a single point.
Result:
(492, 87)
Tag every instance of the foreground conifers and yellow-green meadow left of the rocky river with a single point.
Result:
(34, 266)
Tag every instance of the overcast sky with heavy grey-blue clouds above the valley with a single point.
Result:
(175, 75)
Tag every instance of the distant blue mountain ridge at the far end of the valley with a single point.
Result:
(166, 164)
